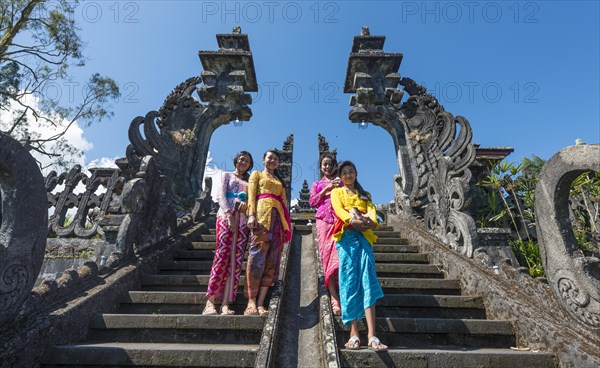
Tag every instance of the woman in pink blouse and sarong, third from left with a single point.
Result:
(325, 220)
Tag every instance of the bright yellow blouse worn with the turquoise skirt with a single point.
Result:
(342, 201)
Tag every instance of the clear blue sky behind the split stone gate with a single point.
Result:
(525, 74)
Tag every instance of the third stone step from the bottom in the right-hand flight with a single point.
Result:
(430, 306)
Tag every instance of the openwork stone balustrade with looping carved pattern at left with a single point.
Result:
(92, 208)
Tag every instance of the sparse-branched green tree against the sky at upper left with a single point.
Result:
(40, 44)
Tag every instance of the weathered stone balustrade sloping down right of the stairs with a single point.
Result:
(541, 323)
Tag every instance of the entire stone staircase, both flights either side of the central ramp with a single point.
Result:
(423, 318)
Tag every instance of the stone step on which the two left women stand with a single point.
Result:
(177, 328)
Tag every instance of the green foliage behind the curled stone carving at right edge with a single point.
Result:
(510, 194)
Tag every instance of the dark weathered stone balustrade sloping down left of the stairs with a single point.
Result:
(67, 322)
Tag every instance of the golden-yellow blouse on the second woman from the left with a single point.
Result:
(260, 183)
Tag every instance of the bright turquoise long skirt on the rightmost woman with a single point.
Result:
(359, 286)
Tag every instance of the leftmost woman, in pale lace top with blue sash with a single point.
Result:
(232, 236)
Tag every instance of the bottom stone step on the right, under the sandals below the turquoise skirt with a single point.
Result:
(444, 358)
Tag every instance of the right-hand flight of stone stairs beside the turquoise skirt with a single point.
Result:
(426, 322)
